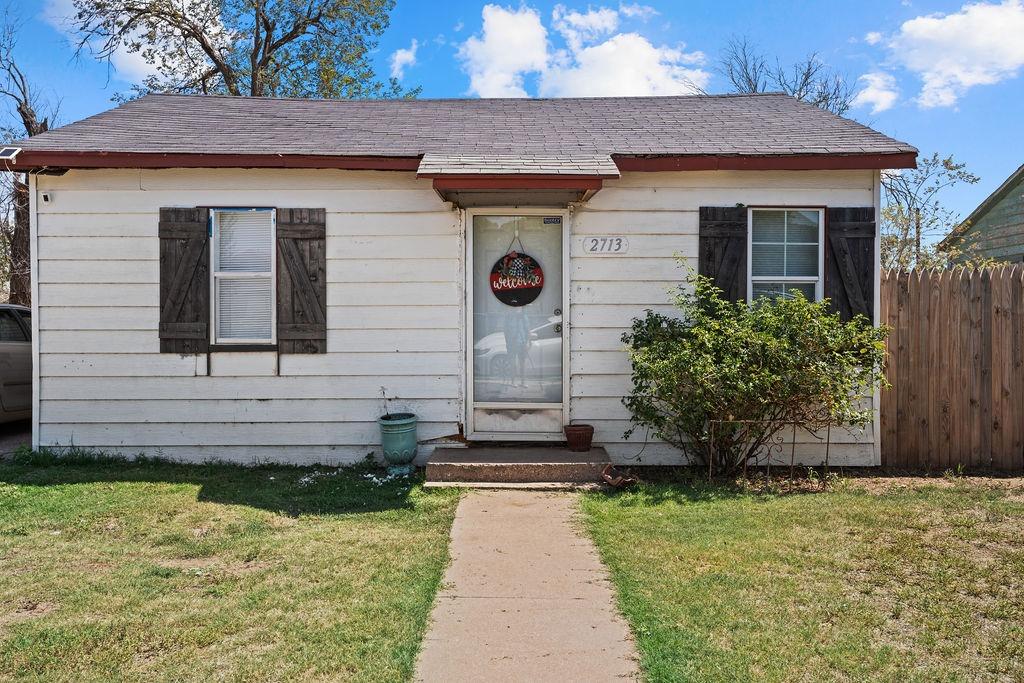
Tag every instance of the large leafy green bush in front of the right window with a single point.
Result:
(722, 381)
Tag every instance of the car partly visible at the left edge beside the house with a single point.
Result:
(16, 363)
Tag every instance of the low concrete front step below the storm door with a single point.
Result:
(527, 465)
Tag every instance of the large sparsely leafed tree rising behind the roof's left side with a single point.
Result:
(285, 49)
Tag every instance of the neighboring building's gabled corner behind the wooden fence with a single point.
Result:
(996, 229)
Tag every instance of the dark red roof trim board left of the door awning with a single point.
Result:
(28, 160)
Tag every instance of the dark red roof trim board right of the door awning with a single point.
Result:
(788, 163)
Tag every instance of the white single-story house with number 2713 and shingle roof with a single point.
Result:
(244, 278)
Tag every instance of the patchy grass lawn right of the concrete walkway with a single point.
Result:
(874, 580)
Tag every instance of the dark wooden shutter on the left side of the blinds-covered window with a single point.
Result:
(185, 281)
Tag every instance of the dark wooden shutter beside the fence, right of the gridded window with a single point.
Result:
(850, 262)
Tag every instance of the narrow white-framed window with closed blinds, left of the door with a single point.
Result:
(243, 291)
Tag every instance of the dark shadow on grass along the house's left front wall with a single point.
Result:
(286, 490)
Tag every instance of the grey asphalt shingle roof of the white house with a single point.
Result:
(771, 124)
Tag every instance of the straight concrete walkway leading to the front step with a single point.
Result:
(526, 599)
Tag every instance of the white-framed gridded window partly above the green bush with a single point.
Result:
(786, 253)
